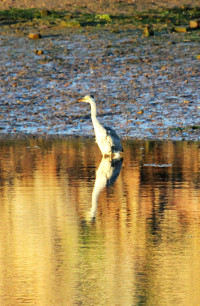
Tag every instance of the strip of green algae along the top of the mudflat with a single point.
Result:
(161, 19)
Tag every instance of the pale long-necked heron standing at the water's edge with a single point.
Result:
(108, 141)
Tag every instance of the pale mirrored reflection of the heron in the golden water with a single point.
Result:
(106, 175)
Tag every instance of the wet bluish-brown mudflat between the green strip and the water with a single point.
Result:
(145, 87)
